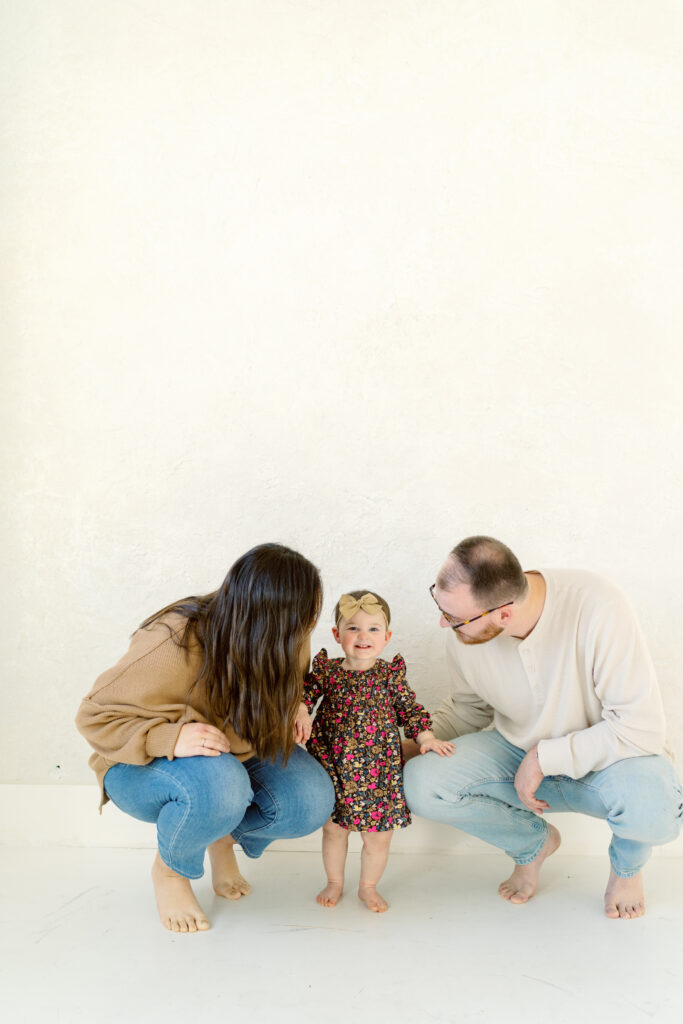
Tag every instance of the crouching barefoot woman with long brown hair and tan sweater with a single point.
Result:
(196, 728)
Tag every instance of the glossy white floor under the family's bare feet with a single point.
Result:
(81, 943)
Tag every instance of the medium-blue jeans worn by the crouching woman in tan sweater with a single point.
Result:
(196, 801)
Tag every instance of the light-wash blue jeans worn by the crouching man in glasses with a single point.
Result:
(641, 799)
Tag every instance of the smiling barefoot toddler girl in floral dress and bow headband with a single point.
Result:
(356, 738)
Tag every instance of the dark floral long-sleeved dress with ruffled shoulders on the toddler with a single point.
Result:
(356, 739)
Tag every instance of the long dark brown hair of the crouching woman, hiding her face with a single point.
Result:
(252, 631)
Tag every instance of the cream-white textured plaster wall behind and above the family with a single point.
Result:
(361, 277)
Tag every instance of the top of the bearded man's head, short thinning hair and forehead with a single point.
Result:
(489, 569)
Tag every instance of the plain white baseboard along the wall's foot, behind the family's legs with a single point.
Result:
(67, 816)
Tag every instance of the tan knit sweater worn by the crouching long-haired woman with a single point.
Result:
(136, 711)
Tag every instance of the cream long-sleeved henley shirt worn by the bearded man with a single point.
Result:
(582, 686)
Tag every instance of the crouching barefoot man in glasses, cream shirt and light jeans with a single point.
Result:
(557, 661)
